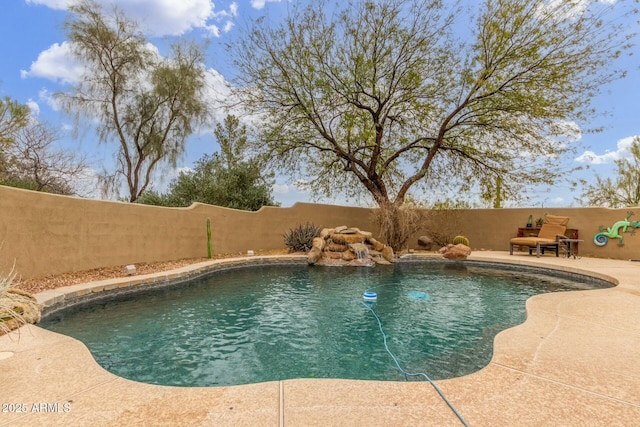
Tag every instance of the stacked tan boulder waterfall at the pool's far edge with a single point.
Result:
(348, 246)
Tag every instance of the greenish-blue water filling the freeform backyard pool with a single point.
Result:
(280, 322)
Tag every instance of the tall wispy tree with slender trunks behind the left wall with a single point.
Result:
(147, 103)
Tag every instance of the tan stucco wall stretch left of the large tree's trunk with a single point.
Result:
(49, 234)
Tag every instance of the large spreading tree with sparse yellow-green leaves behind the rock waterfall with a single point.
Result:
(381, 96)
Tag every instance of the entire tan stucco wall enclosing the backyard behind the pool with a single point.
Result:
(48, 234)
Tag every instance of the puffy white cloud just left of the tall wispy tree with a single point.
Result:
(57, 64)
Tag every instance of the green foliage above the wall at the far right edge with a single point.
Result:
(624, 190)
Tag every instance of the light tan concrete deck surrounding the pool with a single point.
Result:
(575, 361)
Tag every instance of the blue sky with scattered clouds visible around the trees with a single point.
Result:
(35, 64)
